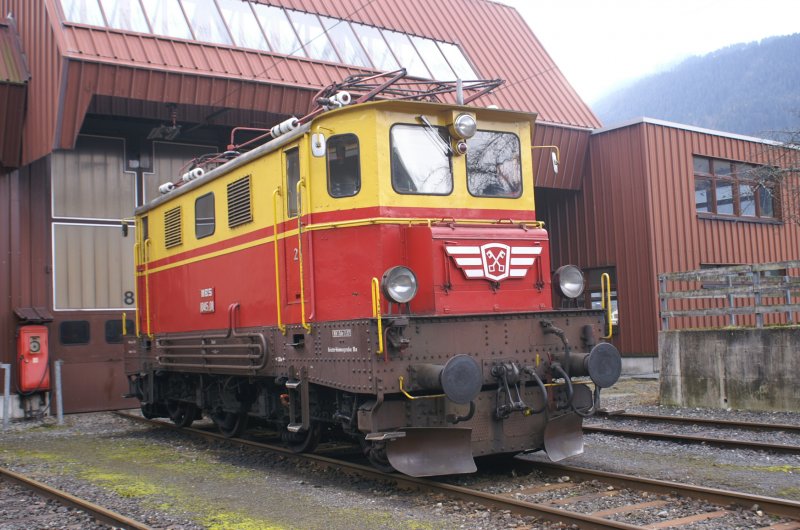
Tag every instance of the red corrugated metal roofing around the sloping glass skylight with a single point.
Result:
(494, 37)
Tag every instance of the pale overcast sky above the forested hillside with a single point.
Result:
(602, 44)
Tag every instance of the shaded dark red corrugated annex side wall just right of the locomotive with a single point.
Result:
(604, 225)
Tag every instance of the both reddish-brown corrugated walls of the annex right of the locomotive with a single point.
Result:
(636, 212)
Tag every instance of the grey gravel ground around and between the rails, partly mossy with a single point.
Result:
(170, 480)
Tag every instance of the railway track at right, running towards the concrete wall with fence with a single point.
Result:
(642, 423)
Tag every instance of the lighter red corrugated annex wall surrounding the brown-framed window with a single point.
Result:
(682, 240)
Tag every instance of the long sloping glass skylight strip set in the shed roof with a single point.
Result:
(277, 30)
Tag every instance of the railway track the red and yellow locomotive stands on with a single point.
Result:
(636, 494)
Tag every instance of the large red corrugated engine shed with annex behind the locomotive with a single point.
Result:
(103, 101)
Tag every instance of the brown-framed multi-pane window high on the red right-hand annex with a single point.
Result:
(731, 189)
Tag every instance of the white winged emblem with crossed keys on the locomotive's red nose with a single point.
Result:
(494, 261)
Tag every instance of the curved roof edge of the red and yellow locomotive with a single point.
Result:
(407, 106)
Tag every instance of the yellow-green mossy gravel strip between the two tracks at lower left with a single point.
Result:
(186, 480)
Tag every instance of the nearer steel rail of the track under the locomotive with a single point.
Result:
(491, 500)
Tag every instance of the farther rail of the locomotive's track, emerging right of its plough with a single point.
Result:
(781, 507)
